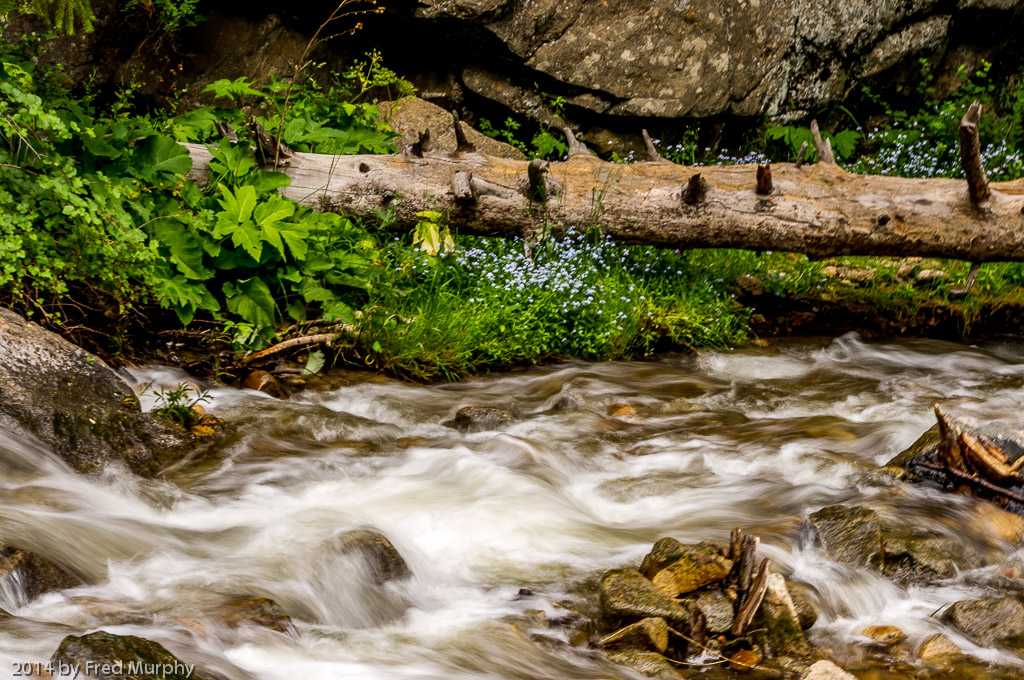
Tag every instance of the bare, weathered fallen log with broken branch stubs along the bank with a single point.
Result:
(820, 210)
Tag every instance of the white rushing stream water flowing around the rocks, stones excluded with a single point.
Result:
(498, 527)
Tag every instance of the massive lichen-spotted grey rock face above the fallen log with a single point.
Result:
(668, 59)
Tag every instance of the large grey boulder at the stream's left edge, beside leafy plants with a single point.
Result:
(76, 405)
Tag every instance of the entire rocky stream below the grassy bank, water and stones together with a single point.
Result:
(717, 516)
